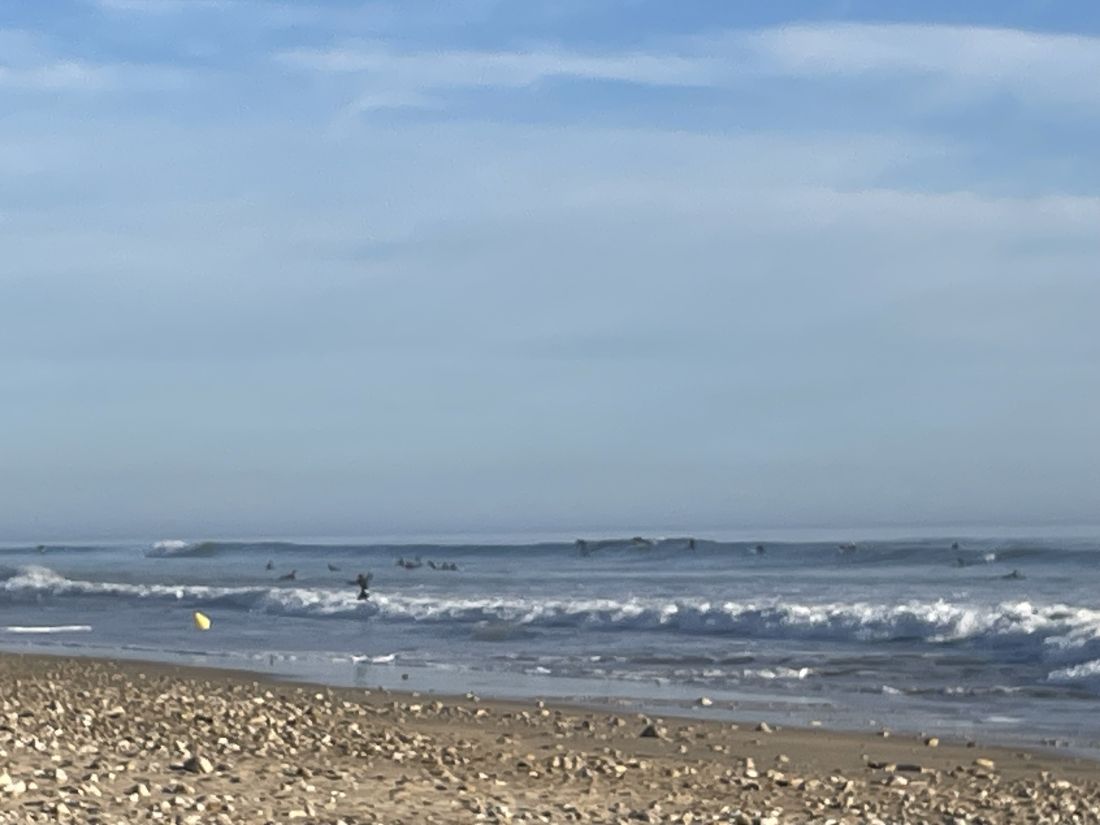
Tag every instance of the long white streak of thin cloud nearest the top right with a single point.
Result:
(963, 61)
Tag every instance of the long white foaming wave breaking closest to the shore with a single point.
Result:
(1061, 633)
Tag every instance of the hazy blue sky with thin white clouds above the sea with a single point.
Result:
(358, 269)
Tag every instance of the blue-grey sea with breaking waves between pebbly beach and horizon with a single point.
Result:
(997, 640)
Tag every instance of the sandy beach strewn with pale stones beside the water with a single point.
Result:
(101, 741)
